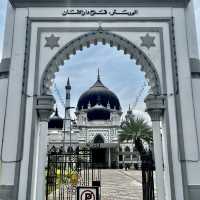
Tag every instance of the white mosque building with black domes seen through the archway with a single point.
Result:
(97, 126)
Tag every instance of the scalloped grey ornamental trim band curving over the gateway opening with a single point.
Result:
(105, 37)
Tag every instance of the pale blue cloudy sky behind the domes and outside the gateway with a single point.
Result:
(117, 71)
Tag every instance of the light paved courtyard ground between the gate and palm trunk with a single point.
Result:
(121, 185)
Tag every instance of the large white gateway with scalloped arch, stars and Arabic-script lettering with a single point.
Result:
(40, 36)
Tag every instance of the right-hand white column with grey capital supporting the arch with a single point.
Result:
(155, 108)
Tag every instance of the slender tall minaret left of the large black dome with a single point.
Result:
(67, 106)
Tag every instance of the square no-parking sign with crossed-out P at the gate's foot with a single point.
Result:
(87, 193)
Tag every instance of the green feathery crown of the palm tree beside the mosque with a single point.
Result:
(135, 129)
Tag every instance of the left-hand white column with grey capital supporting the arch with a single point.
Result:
(44, 108)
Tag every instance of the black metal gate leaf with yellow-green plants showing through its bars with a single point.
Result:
(66, 171)
